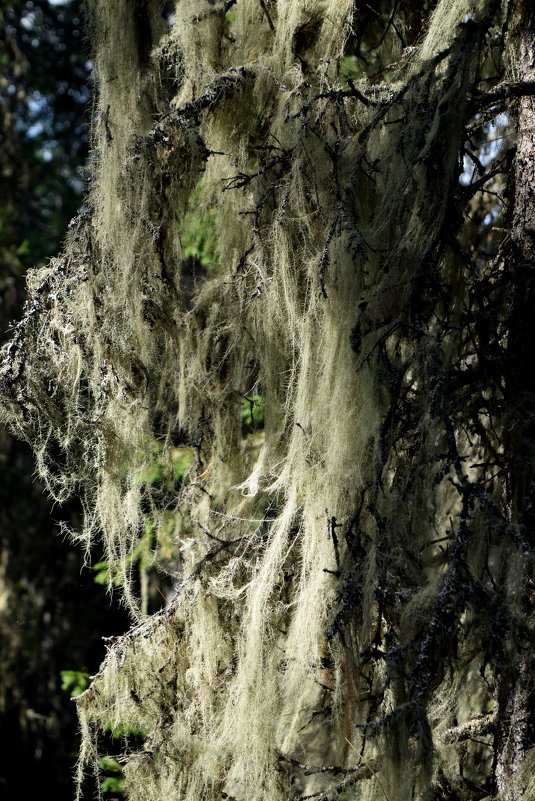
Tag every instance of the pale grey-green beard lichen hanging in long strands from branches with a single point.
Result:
(327, 585)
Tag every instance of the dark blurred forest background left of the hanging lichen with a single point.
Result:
(52, 613)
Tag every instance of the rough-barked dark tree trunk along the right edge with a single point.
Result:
(516, 721)
